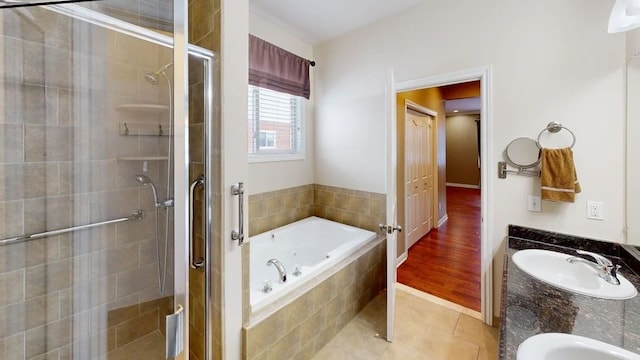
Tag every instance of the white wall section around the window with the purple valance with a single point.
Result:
(269, 176)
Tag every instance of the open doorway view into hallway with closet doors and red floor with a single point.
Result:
(445, 261)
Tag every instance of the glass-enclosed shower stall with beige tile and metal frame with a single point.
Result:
(106, 183)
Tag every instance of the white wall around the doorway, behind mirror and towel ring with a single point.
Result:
(551, 60)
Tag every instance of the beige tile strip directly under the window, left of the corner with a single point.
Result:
(273, 209)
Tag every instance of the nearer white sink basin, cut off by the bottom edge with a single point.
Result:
(556, 346)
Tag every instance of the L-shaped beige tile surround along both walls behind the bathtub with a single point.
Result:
(273, 209)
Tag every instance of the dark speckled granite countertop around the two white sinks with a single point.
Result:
(531, 307)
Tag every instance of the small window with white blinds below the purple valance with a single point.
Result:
(275, 125)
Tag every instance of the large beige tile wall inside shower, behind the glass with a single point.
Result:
(85, 293)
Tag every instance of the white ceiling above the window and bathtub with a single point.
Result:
(317, 21)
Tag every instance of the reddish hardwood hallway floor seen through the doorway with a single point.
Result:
(446, 261)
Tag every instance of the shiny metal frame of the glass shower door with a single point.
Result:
(181, 52)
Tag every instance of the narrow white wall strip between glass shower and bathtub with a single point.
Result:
(234, 81)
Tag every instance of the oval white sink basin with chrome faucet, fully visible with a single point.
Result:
(553, 268)
